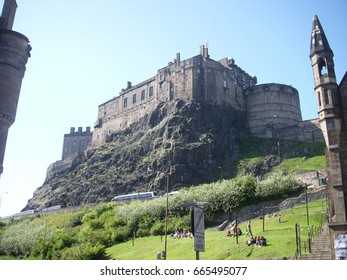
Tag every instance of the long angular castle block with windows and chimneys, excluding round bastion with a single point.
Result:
(198, 78)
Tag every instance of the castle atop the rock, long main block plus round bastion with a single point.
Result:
(268, 107)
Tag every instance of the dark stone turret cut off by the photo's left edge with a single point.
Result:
(14, 54)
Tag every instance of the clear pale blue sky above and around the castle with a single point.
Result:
(85, 51)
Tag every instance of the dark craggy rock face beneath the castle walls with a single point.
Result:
(192, 141)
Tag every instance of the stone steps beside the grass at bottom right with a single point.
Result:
(320, 248)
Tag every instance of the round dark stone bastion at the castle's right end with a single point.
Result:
(271, 106)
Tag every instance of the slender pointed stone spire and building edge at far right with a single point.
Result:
(332, 111)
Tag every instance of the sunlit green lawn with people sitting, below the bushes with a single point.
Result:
(280, 238)
